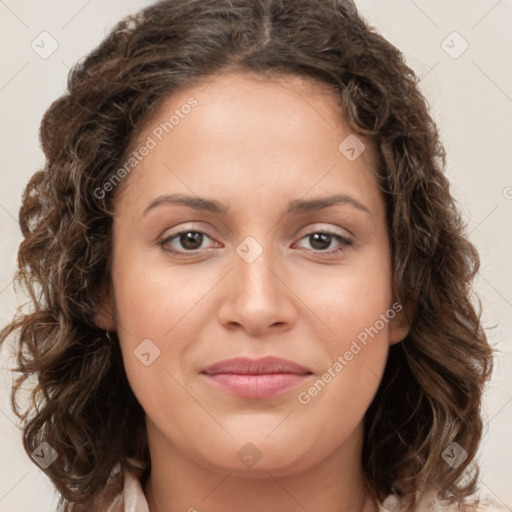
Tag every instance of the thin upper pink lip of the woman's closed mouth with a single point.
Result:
(246, 366)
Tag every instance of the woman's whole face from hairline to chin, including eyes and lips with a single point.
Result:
(253, 227)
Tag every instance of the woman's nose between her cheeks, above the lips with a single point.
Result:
(258, 298)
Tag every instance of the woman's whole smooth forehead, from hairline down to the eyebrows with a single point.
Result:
(244, 131)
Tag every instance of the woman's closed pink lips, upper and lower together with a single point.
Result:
(256, 378)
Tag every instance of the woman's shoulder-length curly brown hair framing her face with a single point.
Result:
(82, 404)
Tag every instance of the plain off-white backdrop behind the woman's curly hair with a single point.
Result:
(461, 49)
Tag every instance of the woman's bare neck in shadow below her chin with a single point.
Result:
(177, 483)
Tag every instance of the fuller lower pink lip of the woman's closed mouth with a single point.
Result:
(256, 386)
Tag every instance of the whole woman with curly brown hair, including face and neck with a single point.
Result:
(251, 284)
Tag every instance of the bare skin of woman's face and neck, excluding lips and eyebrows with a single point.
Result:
(252, 144)
